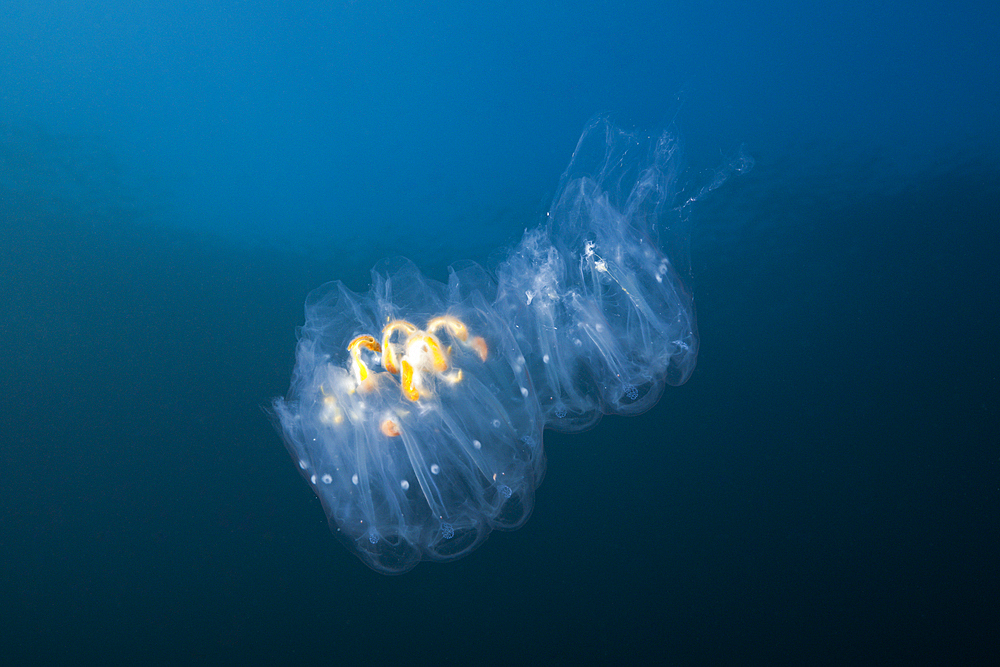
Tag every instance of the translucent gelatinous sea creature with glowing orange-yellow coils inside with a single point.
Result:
(416, 410)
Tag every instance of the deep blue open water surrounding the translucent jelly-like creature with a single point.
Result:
(173, 182)
